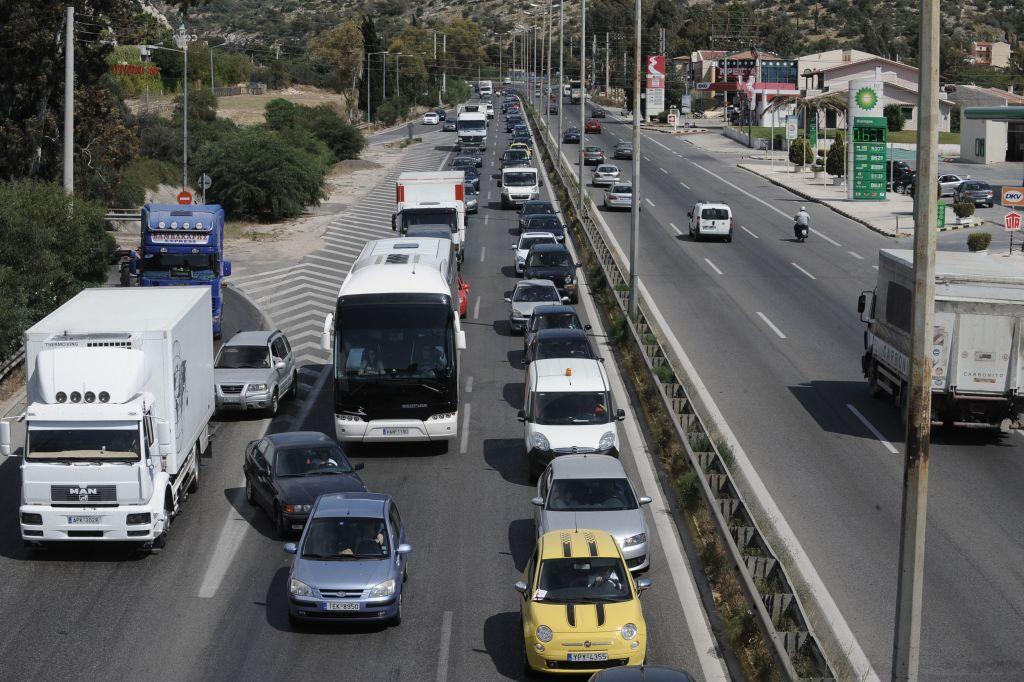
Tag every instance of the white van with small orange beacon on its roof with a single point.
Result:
(568, 410)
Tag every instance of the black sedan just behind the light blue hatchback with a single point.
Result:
(286, 473)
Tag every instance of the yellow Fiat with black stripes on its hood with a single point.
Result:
(580, 606)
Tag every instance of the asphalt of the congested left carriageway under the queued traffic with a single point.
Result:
(212, 606)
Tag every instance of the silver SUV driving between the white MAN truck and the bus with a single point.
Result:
(254, 370)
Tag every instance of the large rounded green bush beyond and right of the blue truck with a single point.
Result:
(264, 175)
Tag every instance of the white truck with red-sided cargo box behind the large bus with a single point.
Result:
(431, 200)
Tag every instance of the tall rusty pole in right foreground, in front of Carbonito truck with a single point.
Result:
(907, 640)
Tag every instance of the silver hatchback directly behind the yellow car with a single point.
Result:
(593, 492)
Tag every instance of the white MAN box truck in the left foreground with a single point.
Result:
(119, 402)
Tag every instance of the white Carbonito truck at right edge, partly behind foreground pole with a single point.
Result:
(976, 349)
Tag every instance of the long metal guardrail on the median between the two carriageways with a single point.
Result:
(769, 589)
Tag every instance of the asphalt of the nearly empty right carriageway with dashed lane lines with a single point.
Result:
(772, 326)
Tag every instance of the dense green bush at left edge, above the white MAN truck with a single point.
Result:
(53, 249)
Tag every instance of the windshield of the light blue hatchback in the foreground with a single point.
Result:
(342, 538)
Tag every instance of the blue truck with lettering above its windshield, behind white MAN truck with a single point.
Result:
(184, 246)
